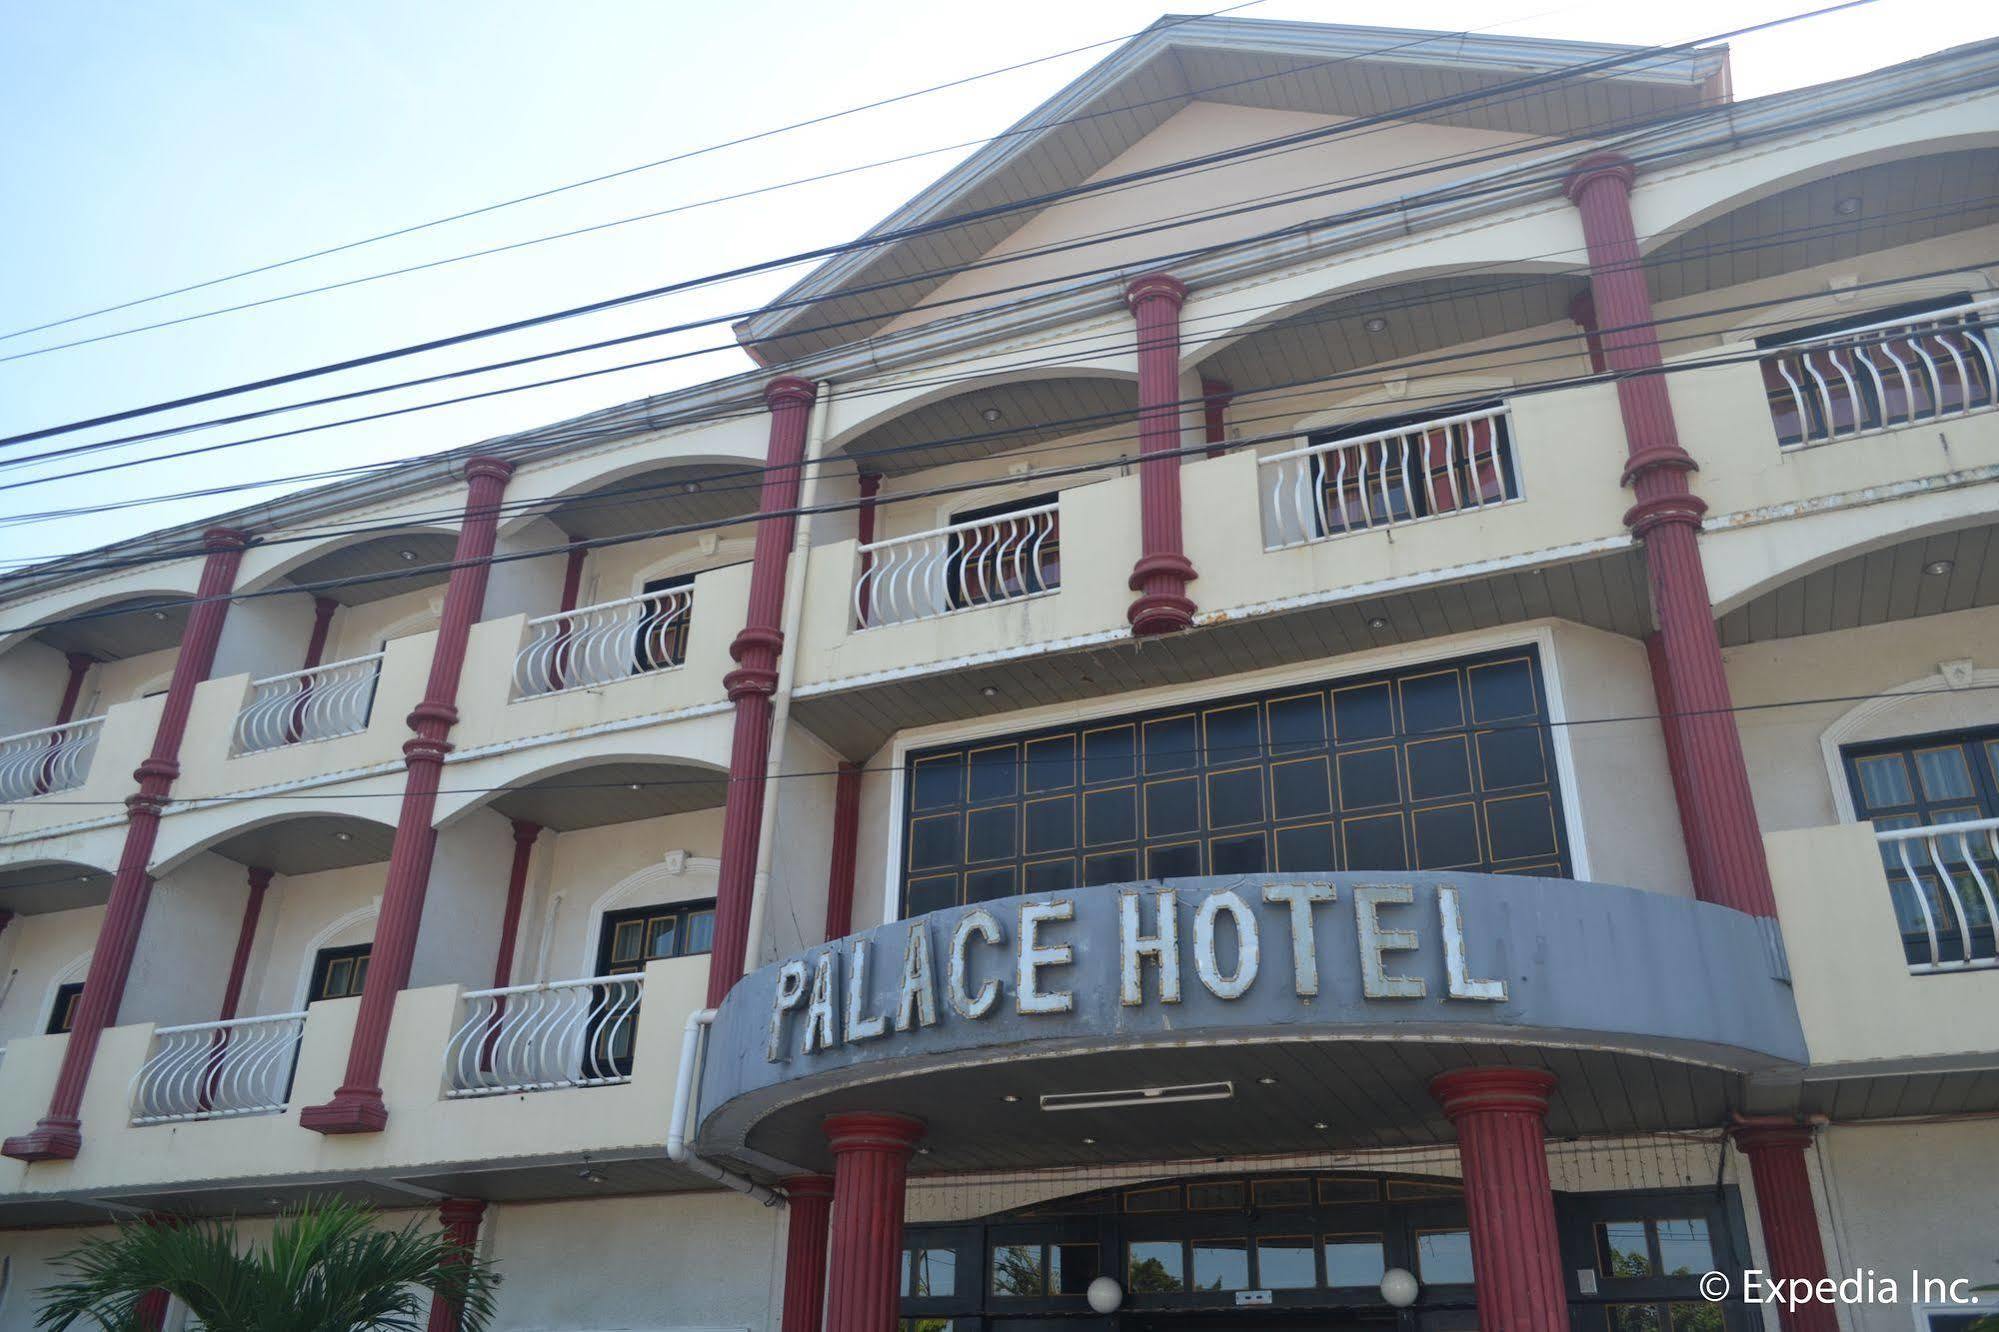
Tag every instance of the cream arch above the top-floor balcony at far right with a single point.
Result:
(1672, 205)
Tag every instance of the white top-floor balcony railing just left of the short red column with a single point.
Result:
(979, 563)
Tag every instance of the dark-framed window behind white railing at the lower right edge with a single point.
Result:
(1926, 783)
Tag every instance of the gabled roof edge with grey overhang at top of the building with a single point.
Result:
(1320, 69)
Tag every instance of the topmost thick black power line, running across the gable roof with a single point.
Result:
(897, 235)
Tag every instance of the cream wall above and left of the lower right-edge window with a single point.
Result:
(1784, 745)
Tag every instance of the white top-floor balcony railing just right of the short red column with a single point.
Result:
(1388, 479)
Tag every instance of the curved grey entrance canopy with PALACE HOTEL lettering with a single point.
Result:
(1248, 1015)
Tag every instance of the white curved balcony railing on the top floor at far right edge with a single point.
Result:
(1878, 377)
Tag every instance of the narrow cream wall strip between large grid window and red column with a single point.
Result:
(1624, 791)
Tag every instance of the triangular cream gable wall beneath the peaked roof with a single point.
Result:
(1194, 131)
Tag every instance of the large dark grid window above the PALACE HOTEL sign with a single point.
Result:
(1444, 767)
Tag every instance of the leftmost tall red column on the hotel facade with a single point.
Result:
(59, 1135)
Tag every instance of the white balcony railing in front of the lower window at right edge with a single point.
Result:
(1944, 881)
